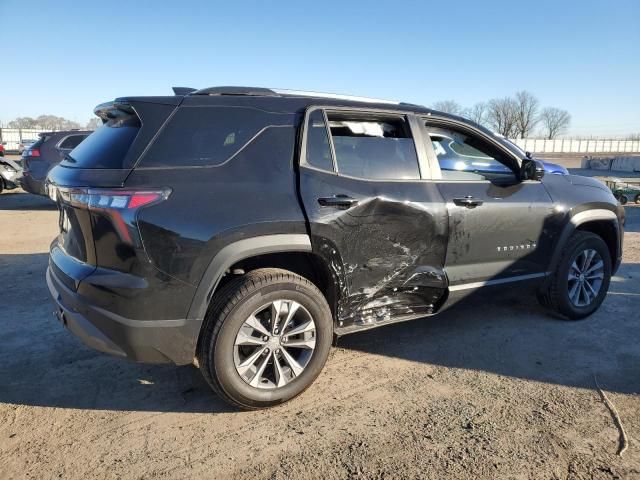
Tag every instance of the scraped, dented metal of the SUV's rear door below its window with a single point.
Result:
(387, 252)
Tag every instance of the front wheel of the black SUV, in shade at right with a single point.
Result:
(574, 291)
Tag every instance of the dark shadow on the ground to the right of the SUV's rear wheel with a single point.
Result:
(513, 336)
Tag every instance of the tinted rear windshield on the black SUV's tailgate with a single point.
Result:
(107, 146)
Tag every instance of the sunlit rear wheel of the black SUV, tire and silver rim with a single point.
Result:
(265, 339)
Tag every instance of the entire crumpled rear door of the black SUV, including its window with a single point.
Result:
(372, 216)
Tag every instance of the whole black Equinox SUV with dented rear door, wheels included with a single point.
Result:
(240, 229)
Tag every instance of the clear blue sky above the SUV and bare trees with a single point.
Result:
(63, 57)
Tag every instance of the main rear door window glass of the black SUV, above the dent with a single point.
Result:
(372, 146)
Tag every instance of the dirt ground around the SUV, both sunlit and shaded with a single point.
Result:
(494, 388)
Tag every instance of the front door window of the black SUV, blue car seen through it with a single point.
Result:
(463, 156)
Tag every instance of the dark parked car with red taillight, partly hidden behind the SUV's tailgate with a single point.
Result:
(49, 150)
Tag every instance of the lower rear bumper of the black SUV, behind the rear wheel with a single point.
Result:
(147, 341)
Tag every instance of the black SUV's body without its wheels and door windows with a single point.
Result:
(233, 188)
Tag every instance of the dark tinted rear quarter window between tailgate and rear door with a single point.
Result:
(208, 136)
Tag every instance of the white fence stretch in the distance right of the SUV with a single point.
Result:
(567, 145)
